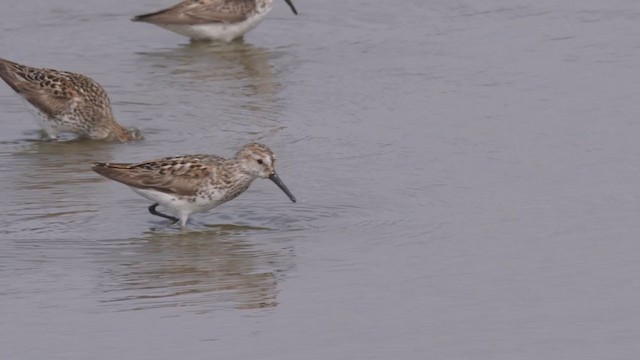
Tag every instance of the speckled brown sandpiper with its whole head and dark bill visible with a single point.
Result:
(195, 183)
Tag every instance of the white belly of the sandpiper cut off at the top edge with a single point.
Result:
(217, 31)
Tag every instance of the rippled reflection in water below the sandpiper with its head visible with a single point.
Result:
(206, 270)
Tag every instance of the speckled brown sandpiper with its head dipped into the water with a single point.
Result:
(66, 102)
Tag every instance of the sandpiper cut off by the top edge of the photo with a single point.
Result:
(212, 19)
